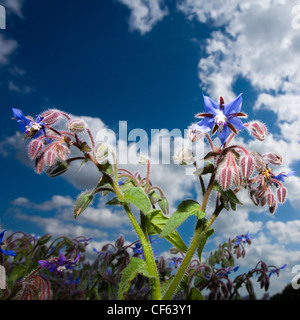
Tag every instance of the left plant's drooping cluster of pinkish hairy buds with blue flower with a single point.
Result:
(49, 146)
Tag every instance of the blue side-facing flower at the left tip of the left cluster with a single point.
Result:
(33, 128)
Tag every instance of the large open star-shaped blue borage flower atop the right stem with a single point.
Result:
(221, 117)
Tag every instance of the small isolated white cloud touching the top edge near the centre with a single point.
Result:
(145, 13)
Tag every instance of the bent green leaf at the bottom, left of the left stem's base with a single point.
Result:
(134, 267)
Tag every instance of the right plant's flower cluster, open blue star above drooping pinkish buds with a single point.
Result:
(234, 166)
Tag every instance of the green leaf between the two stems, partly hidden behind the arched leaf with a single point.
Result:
(156, 222)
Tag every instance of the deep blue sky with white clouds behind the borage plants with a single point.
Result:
(147, 63)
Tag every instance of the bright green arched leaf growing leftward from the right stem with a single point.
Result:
(184, 210)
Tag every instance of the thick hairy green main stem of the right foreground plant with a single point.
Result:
(200, 231)
